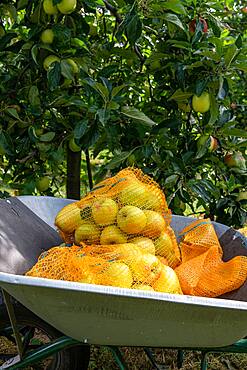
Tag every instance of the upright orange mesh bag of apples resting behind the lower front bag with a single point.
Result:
(127, 208)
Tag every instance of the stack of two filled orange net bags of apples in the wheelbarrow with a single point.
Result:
(120, 236)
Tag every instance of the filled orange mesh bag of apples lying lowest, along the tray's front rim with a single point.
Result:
(120, 265)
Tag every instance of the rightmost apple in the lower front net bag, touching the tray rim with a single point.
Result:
(167, 282)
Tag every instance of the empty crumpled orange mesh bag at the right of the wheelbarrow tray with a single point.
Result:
(202, 271)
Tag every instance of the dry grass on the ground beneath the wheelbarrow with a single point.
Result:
(102, 359)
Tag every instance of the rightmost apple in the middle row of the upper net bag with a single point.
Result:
(155, 224)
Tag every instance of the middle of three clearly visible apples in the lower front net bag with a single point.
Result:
(146, 268)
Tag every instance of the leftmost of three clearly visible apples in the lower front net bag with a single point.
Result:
(117, 274)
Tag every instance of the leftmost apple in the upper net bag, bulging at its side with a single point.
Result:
(68, 218)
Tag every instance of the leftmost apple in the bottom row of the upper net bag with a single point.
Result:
(88, 233)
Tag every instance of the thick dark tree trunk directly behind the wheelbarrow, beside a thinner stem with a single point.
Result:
(73, 174)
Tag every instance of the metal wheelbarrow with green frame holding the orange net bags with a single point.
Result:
(76, 315)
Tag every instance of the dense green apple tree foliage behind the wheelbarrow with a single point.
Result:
(130, 103)
